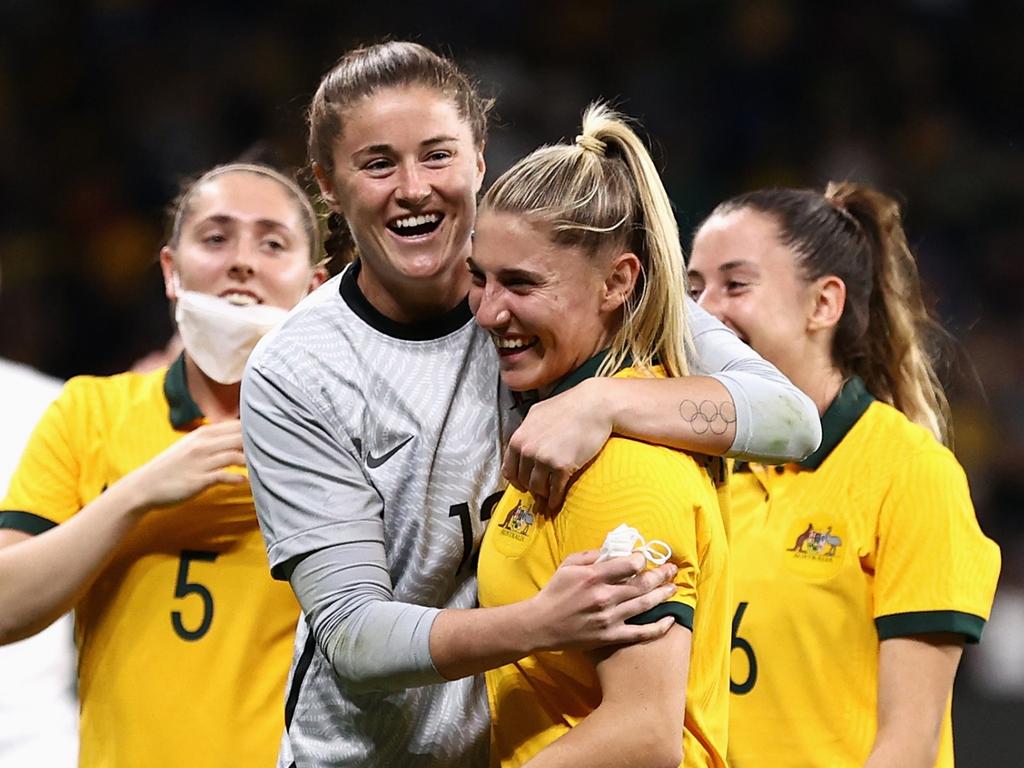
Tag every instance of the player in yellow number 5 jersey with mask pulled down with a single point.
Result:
(131, 505)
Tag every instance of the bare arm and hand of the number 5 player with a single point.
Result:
(44, 577)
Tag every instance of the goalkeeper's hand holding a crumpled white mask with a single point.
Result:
(586, 604)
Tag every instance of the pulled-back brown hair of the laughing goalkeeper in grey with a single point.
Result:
(365, 71)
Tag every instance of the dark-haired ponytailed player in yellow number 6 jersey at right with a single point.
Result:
(862, 571)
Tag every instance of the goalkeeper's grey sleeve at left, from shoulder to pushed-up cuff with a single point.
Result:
(323, 525)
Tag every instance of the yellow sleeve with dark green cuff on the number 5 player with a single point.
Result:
(45, 489)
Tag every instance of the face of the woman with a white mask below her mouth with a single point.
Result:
(242, 239)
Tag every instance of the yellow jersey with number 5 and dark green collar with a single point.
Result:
(185, 642)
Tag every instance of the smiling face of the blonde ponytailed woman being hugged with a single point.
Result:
(548, 308)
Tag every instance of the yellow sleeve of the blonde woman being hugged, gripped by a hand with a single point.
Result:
(653, 490)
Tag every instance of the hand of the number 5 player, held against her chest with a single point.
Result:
(199, 460)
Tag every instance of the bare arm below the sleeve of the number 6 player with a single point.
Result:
(916, 680)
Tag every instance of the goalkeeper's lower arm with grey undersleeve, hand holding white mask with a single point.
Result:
(376, 644)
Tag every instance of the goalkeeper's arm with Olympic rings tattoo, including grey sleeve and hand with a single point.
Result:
(745, 408)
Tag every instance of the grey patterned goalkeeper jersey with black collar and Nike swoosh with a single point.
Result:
(383, 442)
